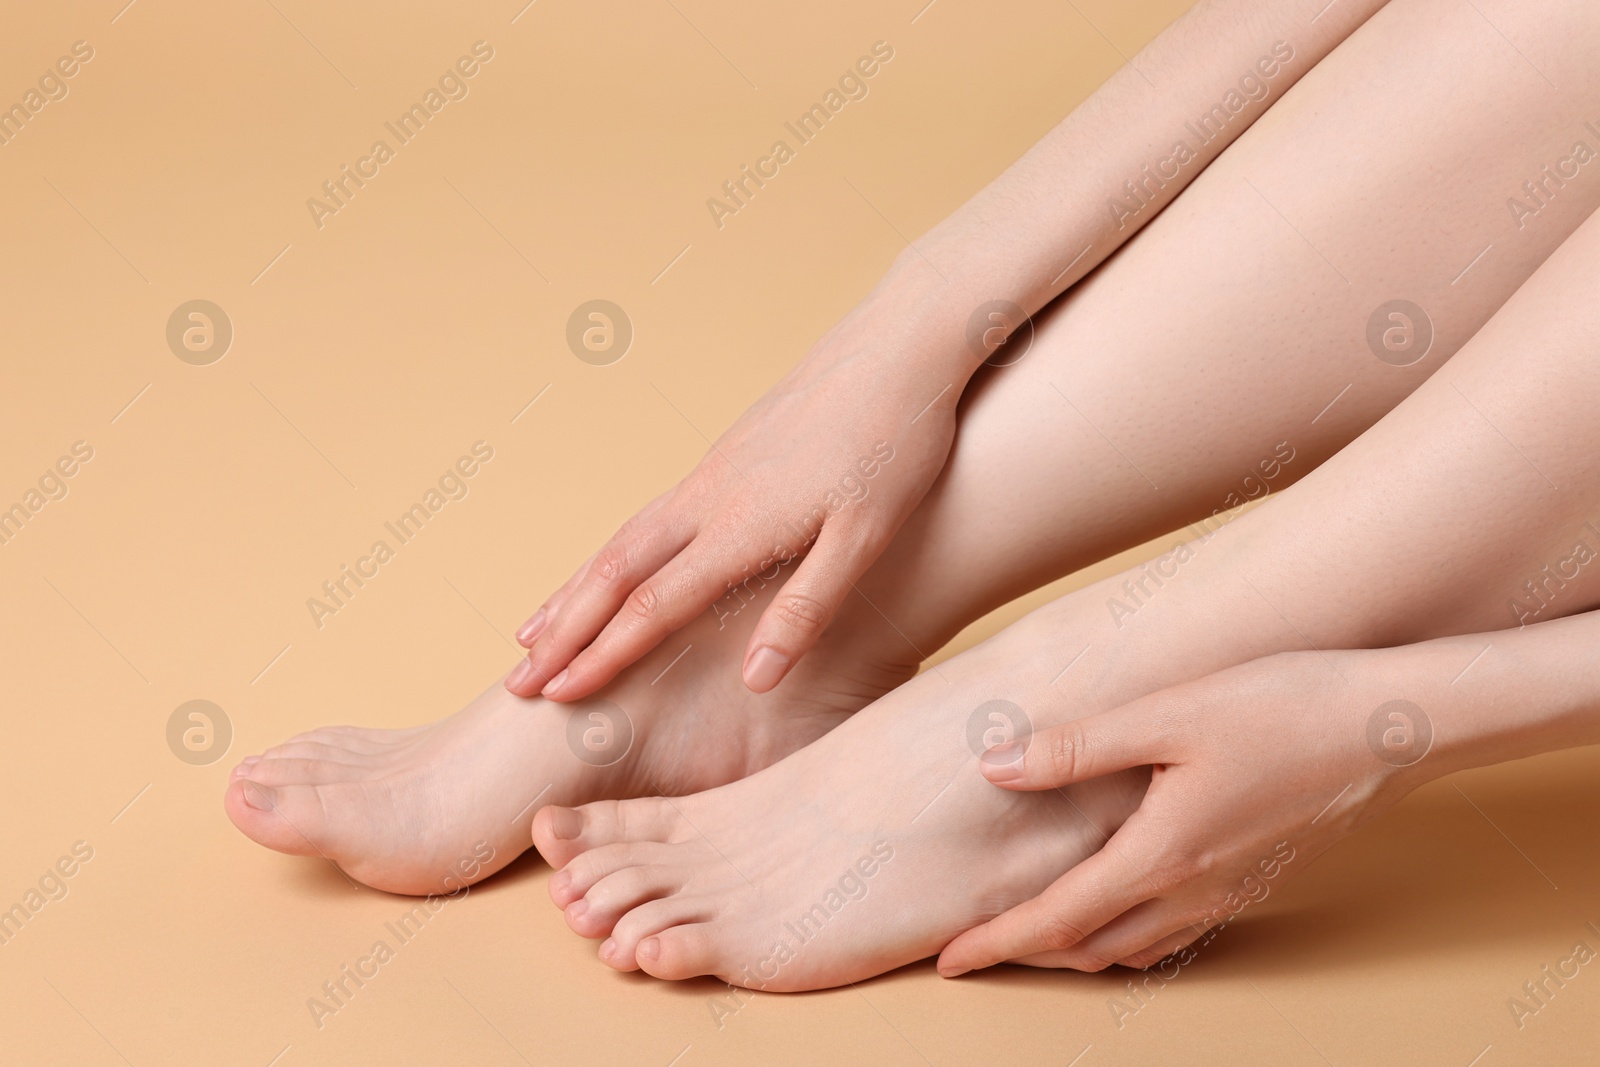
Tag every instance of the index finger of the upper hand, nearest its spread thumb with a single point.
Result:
(692, 583)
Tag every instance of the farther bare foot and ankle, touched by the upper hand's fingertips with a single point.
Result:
(433, 809)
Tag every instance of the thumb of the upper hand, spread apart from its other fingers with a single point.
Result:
(806, 605)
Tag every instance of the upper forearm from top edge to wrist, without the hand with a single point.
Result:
(1106, 170)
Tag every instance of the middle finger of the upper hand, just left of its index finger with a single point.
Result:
(630, 561)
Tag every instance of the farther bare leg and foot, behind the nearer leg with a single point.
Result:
(1255, 337)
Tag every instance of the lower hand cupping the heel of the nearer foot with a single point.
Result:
(1257, 772)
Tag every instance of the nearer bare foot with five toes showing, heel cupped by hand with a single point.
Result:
(865, 852)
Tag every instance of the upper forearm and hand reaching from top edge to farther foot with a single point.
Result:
(895, 369)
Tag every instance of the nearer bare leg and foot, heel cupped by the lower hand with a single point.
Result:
(1474, 506)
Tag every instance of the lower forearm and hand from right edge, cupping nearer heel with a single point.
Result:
(1276, 759)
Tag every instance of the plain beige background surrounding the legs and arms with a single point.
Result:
(425, 318)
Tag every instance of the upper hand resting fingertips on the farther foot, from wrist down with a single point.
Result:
(804, 492)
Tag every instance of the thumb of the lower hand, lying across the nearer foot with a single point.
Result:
(1079, 751)
